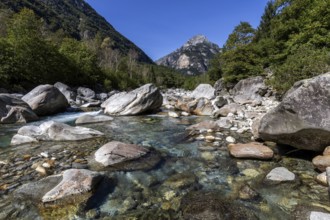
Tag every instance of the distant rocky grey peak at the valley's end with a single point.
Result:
(193, 57)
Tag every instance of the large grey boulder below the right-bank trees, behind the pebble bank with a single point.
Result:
(249, 90)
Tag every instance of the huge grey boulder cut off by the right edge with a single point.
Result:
(302, 119)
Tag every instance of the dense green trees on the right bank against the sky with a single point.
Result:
(292, 42)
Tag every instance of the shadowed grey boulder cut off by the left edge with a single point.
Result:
(15, 110)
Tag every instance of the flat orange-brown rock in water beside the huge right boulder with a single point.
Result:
(251, 150)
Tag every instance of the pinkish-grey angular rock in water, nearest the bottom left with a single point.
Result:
(75, 181)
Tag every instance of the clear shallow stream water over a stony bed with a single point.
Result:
(187, 168)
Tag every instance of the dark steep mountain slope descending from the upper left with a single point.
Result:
(77, 19)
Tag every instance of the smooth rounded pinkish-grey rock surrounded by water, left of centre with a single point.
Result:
(115, 152)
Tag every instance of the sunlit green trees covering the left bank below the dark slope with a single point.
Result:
(31, 53)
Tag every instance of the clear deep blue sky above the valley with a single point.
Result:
(161, 26)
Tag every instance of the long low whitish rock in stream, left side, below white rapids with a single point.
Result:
(53, 131)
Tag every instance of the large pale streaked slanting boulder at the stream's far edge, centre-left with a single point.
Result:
(144, 99)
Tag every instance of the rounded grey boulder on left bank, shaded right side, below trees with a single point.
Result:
(46, 100)
